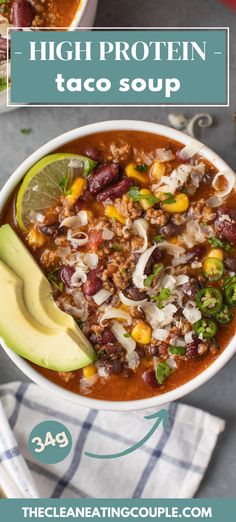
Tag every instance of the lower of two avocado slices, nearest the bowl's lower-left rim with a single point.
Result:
(28, 338)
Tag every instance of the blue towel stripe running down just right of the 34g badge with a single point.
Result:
(73, 468)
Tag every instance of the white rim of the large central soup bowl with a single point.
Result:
(26, 368)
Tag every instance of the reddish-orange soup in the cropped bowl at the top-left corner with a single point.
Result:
(39, 13)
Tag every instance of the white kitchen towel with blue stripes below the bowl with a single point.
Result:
(171, 464)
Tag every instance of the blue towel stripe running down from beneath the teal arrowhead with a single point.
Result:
(159, 449)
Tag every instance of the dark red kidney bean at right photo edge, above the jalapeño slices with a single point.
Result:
(226, 227)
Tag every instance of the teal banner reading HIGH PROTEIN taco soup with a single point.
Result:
(128, 67)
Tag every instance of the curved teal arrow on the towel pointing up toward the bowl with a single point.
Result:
(161, 418)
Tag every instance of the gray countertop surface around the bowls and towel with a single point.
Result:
(218, 395)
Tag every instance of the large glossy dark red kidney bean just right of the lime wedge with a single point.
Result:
(103, 176)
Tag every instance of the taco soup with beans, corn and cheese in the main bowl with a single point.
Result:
(141, 252)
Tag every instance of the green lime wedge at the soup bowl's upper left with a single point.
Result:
(43, 184)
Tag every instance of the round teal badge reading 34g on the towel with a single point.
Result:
(50, 442)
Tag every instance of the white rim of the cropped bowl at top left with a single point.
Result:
(84, 17)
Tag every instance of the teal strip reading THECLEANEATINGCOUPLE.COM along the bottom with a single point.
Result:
(214, 510)
